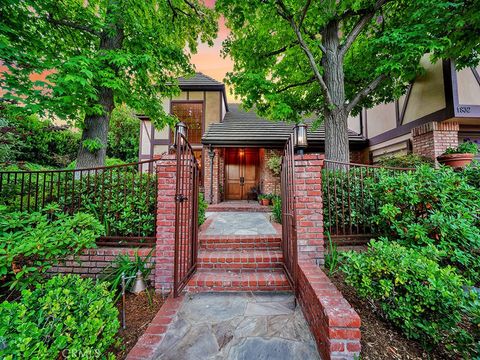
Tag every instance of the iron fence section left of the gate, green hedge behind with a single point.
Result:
(122, 197)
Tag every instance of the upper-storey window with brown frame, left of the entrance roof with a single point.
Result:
(191, 113)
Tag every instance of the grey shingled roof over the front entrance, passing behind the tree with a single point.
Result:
(240, 128)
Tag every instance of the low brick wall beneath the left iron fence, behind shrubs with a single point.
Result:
(91, 262)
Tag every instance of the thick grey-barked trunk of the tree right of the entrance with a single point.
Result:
(336, 118)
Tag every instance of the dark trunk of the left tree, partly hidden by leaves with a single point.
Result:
(96, 126)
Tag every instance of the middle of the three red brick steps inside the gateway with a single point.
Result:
(236, 259)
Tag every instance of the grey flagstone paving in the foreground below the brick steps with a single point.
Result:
(238, 326)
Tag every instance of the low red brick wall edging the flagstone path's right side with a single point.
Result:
(334, 323)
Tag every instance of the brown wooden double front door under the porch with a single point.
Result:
(241, 172)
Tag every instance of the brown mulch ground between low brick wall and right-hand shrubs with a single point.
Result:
(380, 340)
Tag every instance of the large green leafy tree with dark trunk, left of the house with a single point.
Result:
(98, 53)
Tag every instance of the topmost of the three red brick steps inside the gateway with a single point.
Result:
(222, 243)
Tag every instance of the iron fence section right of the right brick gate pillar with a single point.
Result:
(349, 204)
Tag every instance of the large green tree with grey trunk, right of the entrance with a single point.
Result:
(331, 58)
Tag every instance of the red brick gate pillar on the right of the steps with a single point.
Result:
(309, 207)
